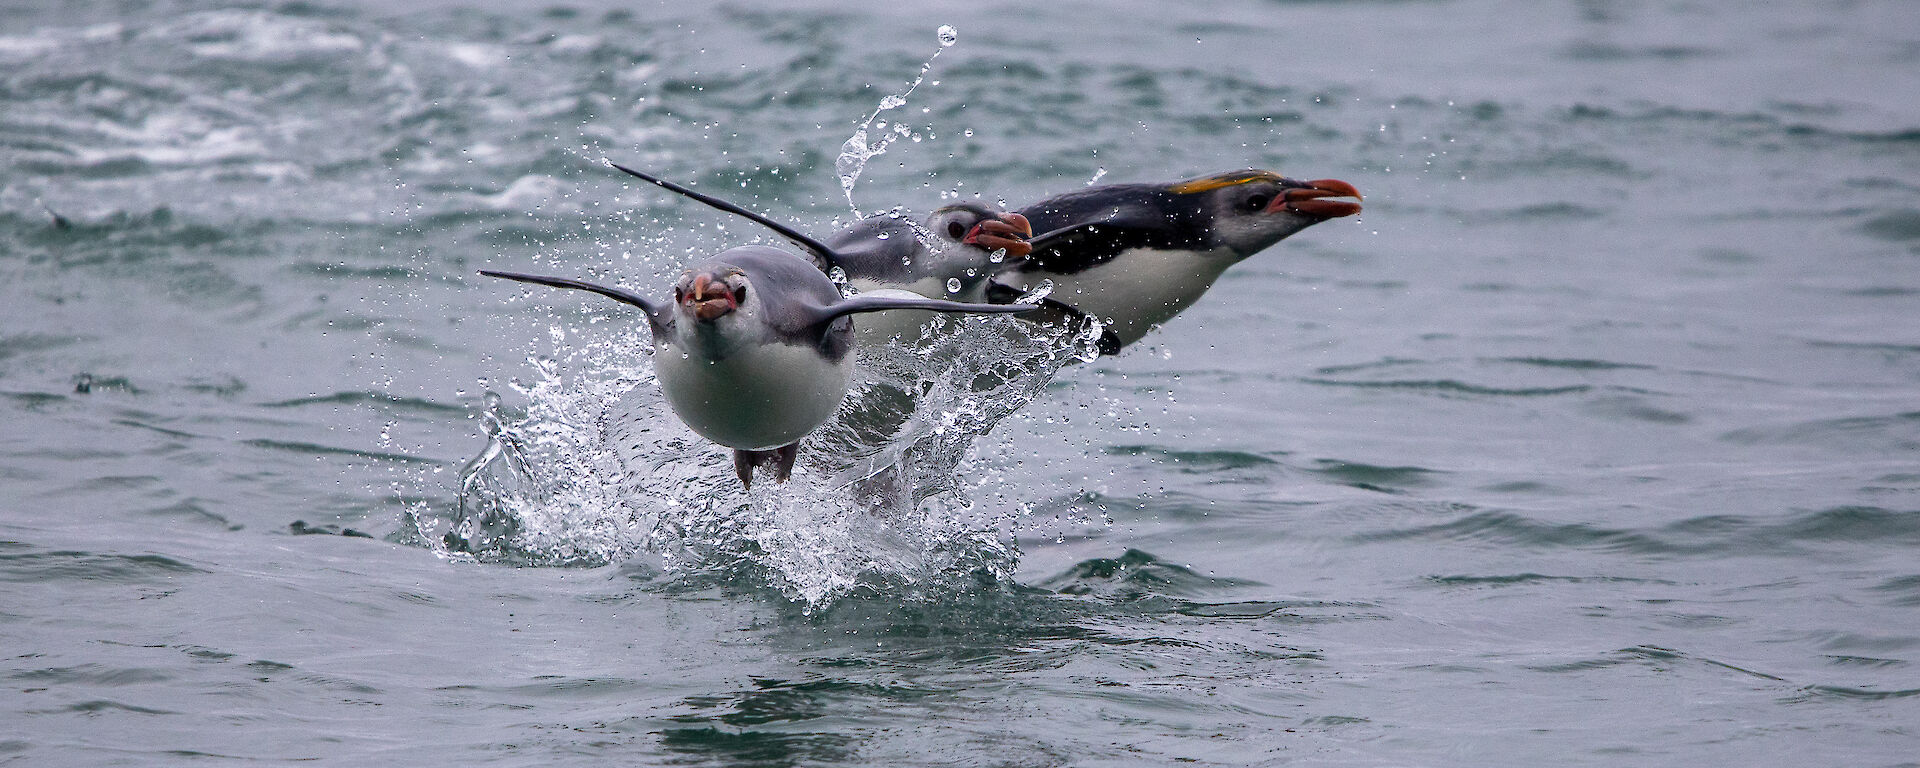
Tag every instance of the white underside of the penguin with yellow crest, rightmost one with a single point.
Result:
(1140, 289)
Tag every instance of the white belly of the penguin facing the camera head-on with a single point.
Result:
(757, 398)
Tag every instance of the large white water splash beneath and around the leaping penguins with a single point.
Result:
(598, 471)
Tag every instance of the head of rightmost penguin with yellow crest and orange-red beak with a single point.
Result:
(1253, 210)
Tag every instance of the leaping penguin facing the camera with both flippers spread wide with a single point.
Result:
(754, 352)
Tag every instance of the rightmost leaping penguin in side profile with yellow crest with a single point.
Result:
(1138, 254)
